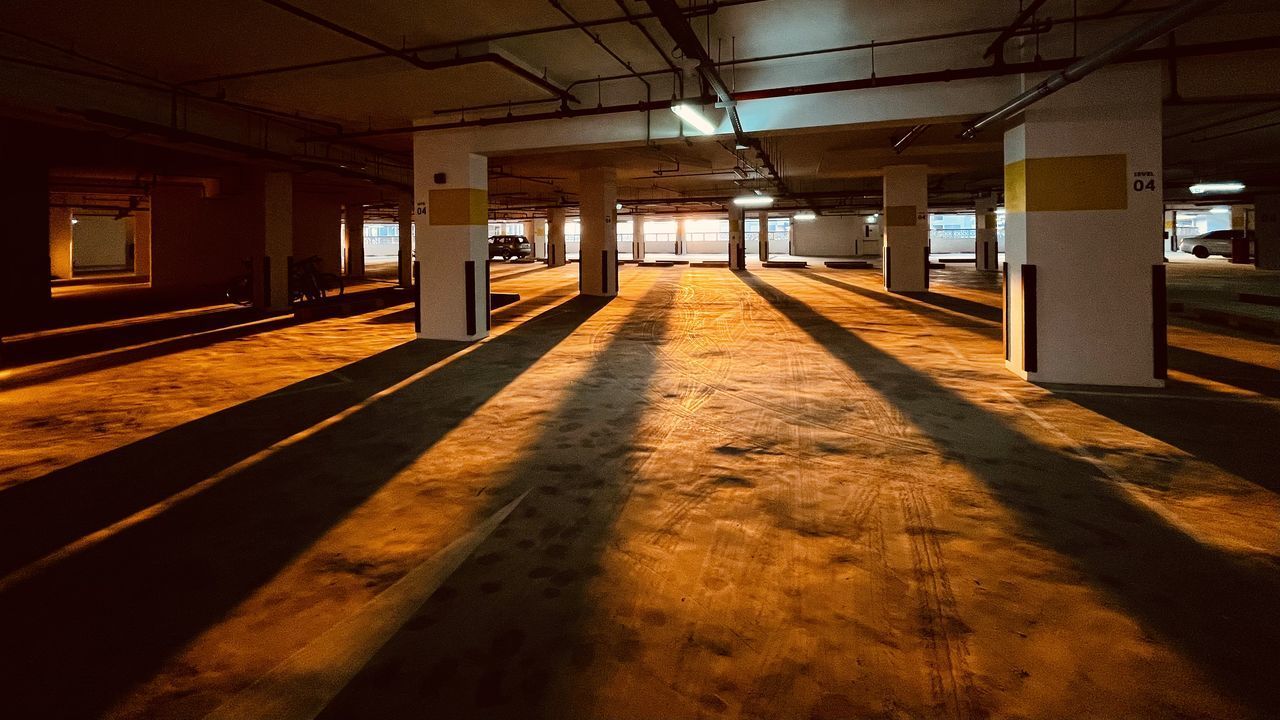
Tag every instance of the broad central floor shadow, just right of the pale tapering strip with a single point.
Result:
(514, 619)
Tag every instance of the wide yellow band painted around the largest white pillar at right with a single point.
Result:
(1052, 185)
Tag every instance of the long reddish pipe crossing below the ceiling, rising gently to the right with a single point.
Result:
(1268, 43)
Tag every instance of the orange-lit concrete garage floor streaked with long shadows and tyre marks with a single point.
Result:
(779, 494)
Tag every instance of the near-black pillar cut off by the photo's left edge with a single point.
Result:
(25, 233)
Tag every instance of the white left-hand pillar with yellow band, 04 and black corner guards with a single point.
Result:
(454, 240)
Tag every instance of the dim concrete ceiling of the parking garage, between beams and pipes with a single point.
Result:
(321, 60)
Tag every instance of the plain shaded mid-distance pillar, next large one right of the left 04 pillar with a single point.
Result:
(598, 258)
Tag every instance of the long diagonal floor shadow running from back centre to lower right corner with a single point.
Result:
(1215, 608)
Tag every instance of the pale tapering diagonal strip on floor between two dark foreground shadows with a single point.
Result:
(303, 686)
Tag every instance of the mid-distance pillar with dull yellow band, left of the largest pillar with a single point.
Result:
(907, 229)
